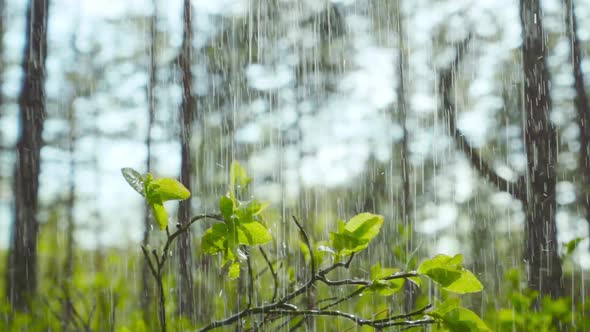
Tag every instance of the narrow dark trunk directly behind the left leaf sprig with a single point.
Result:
(186, 287)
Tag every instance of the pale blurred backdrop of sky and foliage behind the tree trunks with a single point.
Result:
(306, 98)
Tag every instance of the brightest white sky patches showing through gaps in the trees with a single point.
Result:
(350, 126)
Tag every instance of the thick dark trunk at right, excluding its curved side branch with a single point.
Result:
(540, 137)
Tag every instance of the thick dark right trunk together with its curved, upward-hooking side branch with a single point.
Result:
(536, 190)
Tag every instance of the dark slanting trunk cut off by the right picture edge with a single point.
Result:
(581, 103)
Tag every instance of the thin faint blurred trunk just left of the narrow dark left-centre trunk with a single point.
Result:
(146, 289)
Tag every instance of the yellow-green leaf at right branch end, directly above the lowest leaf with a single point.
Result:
(448, 272)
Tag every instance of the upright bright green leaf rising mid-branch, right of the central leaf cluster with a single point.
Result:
(356, 234)
